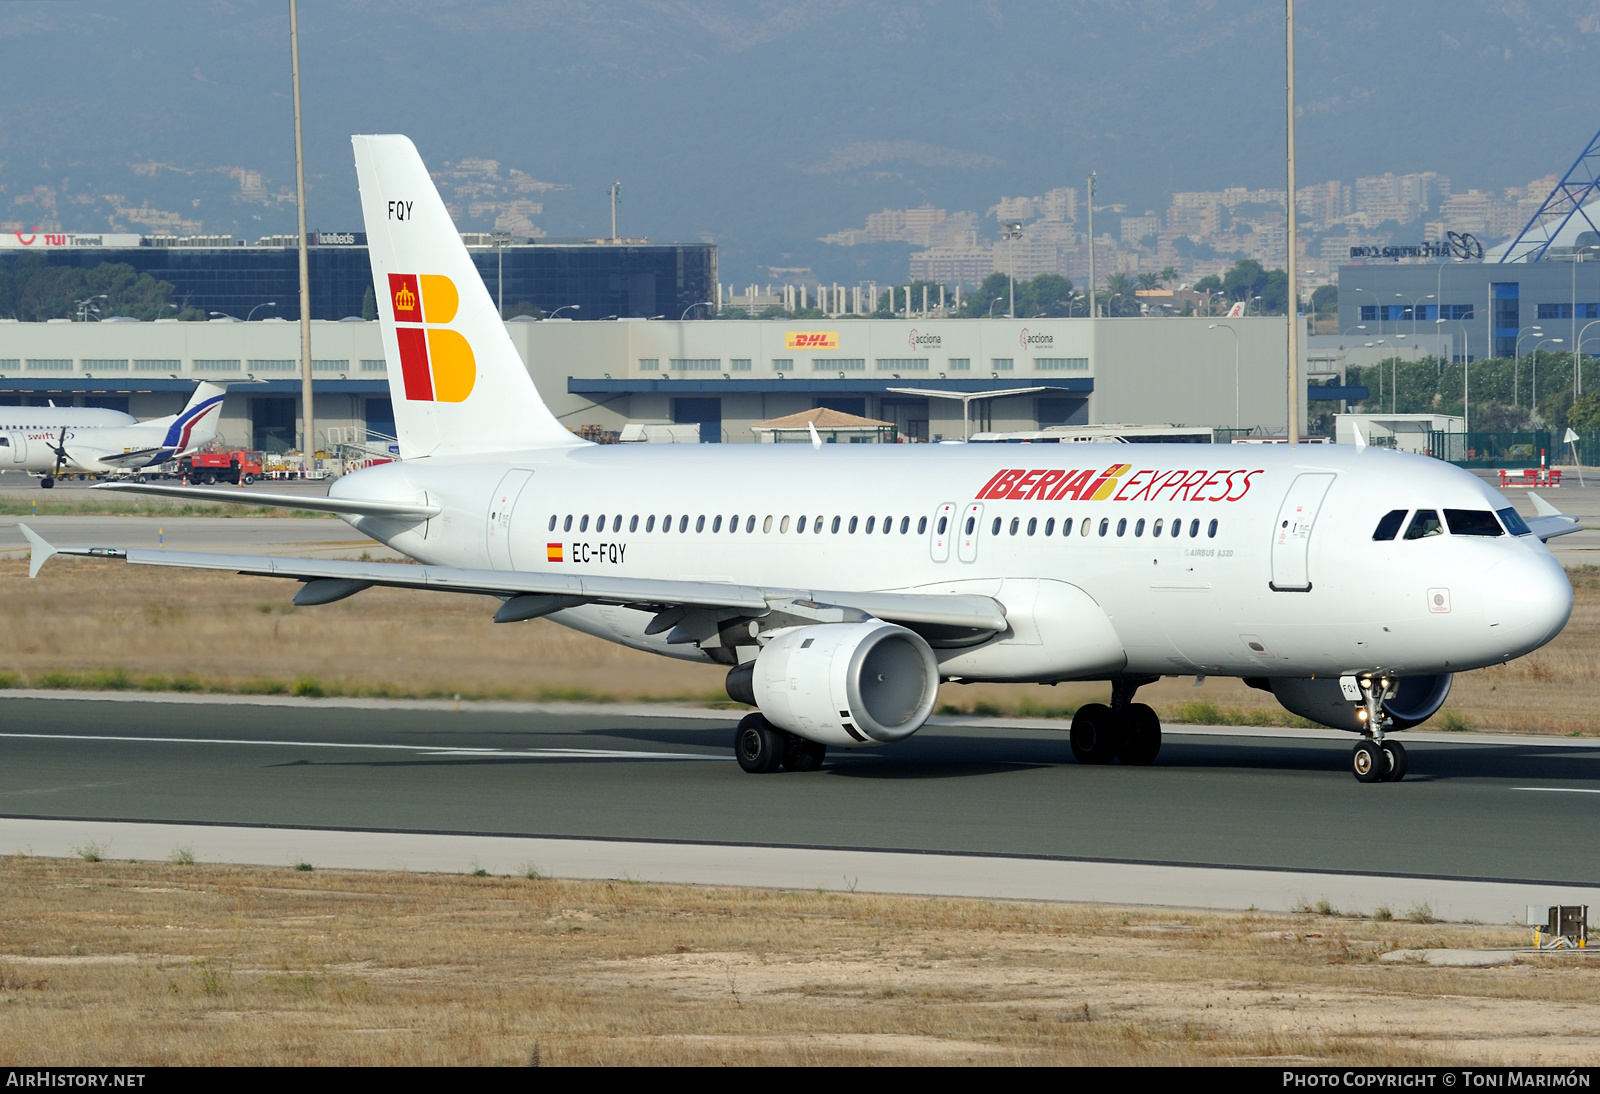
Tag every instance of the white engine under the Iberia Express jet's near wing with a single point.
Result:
(844, 684)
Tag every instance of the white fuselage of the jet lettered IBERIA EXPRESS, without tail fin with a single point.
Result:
(1199, 602)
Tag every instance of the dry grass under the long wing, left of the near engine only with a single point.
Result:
(220, 633)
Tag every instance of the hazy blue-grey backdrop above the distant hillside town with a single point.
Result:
(766, 124)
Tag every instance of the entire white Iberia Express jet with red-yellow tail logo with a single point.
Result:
(841, 585)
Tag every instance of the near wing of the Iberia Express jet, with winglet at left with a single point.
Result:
(687, 610)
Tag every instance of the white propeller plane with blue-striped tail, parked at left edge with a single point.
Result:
(50, 439)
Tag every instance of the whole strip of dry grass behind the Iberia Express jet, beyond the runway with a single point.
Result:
(220, 633)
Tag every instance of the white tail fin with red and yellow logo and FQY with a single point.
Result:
(455, 377)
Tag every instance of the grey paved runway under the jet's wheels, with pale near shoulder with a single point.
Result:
(1223, 820)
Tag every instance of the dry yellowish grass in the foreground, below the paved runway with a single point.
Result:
(156, 964)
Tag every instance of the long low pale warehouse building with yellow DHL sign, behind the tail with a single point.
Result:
(721, 377)
